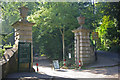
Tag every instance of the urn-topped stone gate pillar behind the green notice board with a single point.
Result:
(23, 31)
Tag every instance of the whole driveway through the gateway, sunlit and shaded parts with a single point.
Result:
(99, 70)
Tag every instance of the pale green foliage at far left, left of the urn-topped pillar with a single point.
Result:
(9, 16)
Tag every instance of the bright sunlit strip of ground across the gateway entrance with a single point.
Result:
(111, 72)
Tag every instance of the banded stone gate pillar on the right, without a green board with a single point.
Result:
(83, 50)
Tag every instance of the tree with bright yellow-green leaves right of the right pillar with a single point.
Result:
(109, 28)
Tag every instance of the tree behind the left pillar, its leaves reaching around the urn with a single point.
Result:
(10, 14)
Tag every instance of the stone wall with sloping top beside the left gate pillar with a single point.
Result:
(9, 62)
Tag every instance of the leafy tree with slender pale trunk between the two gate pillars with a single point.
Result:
(61, 16)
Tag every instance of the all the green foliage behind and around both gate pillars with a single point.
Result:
(51, 17)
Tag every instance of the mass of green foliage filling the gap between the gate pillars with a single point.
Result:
(50, 19)
